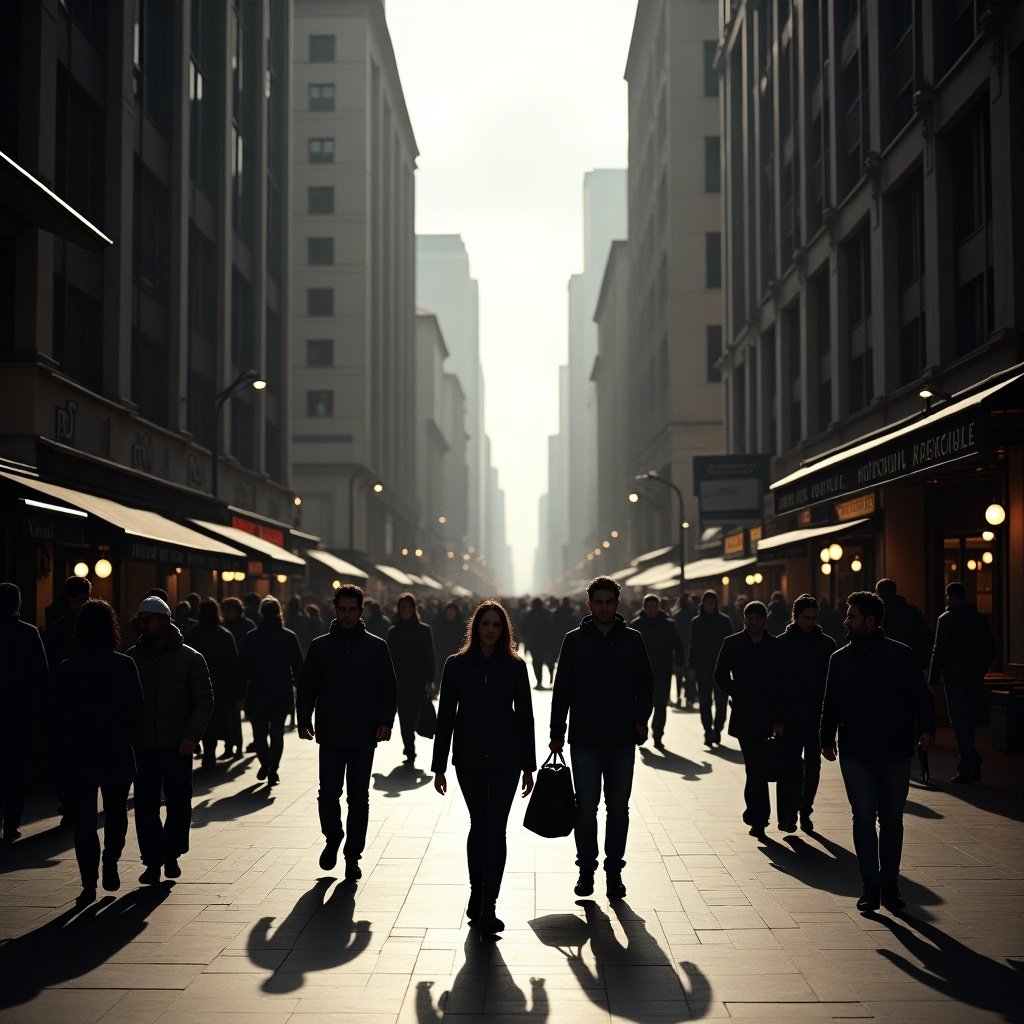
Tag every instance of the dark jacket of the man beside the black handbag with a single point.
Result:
(605, 686)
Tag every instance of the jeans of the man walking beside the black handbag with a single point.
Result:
(591, 767)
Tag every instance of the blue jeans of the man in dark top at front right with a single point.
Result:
(877, 791)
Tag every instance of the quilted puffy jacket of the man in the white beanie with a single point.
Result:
(177, 690)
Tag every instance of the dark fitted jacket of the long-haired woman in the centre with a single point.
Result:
(486, 704)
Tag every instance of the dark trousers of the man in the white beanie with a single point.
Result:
(162, 770)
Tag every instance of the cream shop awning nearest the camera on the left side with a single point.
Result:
(159, 539)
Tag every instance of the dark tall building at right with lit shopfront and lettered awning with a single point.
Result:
(875, 281)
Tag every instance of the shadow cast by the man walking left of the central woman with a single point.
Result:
(315, 936)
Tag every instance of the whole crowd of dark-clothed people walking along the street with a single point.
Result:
(134, 711)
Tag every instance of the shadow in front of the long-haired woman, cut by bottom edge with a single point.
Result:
(483, 986)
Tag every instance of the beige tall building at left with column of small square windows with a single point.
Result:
(354, 273)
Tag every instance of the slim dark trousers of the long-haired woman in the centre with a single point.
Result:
(489, 796)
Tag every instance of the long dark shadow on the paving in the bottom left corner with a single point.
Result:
(74, 944)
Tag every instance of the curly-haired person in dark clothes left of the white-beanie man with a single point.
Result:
(100, 703)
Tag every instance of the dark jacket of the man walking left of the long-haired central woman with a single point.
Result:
(349, 681)
